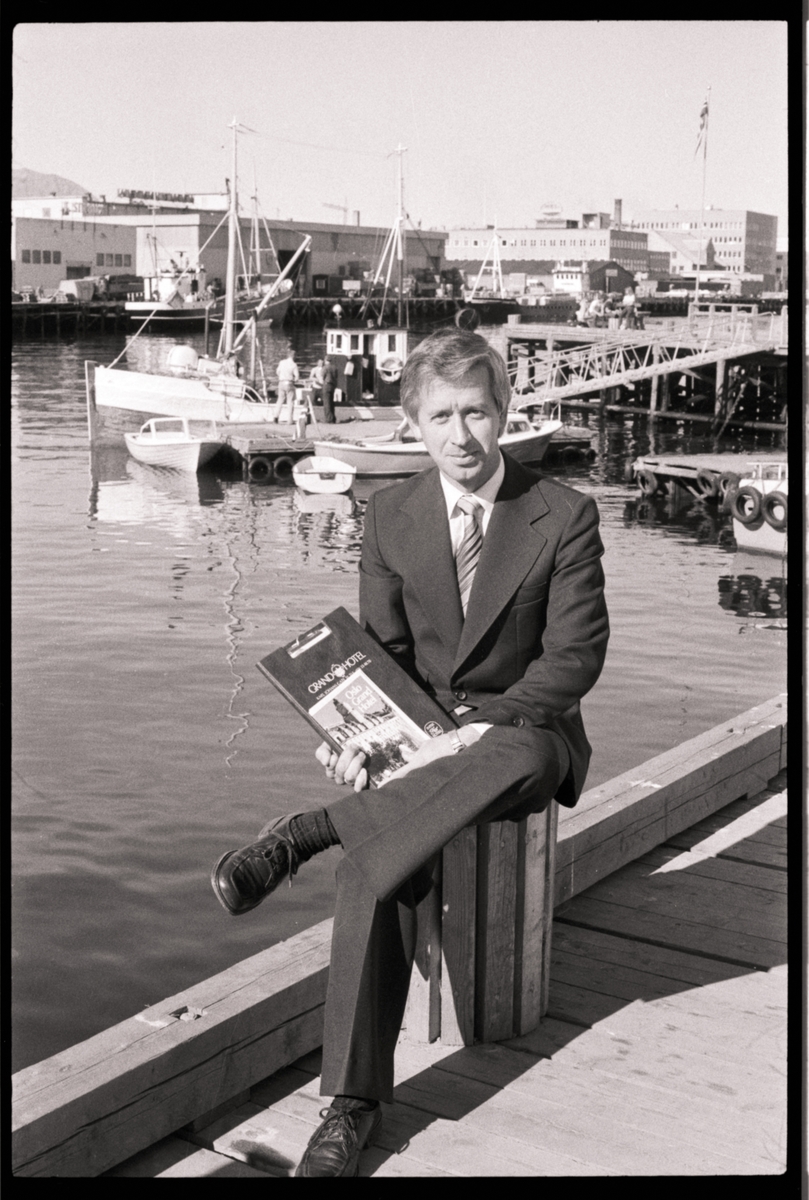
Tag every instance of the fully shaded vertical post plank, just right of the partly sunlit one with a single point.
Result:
(495, 931)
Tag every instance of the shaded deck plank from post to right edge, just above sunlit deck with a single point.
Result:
(744, 950)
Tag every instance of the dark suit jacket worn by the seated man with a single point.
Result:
(536, 632)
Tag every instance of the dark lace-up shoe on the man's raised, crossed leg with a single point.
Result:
(242, 879)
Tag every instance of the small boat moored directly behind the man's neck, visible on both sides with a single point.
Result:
(401, 454)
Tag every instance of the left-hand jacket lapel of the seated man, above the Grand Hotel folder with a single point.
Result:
(430, 555)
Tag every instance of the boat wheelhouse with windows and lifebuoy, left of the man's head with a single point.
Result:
(369, 363)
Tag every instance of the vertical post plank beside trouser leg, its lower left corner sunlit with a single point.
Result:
(459, 905)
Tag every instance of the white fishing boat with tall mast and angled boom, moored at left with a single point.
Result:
(193, 386)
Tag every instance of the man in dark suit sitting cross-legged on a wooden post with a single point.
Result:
(484, 581)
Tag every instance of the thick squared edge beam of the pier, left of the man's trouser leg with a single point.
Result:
(82, 1112)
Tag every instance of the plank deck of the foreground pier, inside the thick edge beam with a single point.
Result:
(655, 1060)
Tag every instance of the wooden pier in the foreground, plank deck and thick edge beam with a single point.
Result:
(662, 1052)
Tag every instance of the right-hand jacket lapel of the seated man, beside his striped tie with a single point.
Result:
(512, 547)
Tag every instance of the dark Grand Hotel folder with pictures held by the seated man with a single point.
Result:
(355, 694)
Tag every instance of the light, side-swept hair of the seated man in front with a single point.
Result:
(450, 356)
